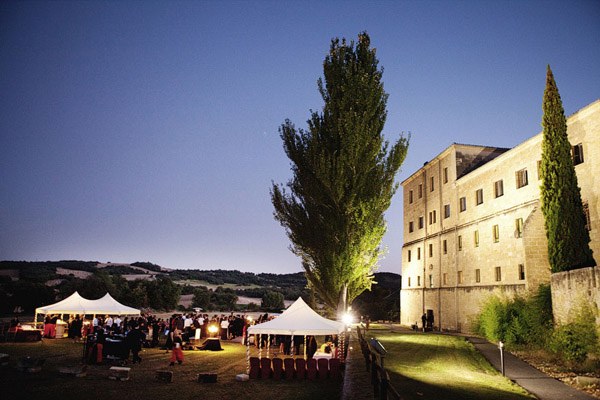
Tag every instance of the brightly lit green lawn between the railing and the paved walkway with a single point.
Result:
(434, 366)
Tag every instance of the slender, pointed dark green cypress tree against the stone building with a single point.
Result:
(568, 238)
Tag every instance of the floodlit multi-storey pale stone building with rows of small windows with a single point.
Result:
(473, 224)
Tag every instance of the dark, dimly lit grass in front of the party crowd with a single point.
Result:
(50, 384)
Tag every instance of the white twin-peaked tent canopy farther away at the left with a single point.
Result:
(75, 304)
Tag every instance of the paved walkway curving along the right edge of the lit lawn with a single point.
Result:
(531, 379)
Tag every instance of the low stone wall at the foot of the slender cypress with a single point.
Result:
(571, 290)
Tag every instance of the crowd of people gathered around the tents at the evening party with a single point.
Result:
(170, 334)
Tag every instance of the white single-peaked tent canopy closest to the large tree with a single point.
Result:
(298, 319)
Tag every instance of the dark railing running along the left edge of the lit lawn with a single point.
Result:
(374, 354)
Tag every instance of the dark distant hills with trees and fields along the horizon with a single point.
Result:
(49, 277)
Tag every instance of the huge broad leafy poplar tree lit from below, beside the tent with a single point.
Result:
(343, 176)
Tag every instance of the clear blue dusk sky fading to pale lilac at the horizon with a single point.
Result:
(148, 131)
